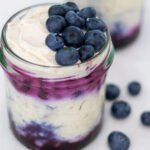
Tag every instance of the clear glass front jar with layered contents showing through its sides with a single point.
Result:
(53, 107)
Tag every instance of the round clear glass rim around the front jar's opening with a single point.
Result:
(10, 51)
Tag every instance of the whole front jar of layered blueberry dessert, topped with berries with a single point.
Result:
(56, 59)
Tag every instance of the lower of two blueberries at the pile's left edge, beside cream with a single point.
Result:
(54, 42)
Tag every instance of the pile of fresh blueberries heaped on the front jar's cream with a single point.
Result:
(74, 34)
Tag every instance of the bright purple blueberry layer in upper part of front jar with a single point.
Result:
(57, 90)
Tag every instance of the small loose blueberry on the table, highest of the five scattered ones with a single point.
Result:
(134, 88)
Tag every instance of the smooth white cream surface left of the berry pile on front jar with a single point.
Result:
(26, 37)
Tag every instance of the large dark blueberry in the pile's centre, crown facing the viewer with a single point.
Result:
(73, 36)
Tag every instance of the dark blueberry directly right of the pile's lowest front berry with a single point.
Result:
(86, 52)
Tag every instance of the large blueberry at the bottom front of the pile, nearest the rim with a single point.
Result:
(67, 57)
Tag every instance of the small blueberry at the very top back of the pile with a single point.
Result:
(71, 6)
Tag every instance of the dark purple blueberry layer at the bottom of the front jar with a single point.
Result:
(41, 137)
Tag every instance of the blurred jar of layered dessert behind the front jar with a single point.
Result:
(122, 16)
